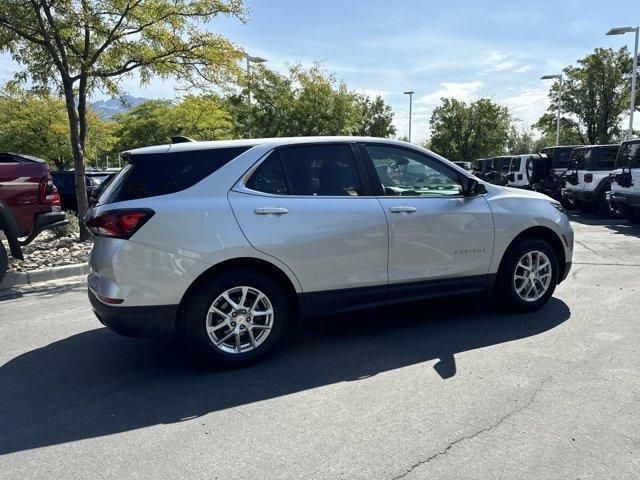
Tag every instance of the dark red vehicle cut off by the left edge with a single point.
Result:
(29, 203)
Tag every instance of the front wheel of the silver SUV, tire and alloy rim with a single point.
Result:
(528, 276)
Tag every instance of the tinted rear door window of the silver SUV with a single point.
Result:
(308, 170)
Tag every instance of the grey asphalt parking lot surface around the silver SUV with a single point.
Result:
(449, 389)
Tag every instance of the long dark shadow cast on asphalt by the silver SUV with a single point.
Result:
(97, 383)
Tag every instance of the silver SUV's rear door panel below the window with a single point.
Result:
(329, 243)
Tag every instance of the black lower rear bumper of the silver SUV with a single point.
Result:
(138, 322)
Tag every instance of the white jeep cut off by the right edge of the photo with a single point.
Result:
(625, 185)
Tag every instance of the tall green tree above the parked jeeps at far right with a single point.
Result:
(595, 98)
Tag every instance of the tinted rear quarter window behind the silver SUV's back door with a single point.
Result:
(150, 175)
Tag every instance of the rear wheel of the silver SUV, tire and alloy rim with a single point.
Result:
(236, 317)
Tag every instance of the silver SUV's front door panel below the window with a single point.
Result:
(443, 237)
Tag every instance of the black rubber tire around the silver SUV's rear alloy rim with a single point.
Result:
(199, 302)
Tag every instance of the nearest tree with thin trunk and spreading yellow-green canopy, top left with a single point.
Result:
(80, 45)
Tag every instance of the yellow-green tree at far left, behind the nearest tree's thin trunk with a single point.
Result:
(37, 124)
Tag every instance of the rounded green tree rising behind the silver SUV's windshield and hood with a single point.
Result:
(461, 131)
